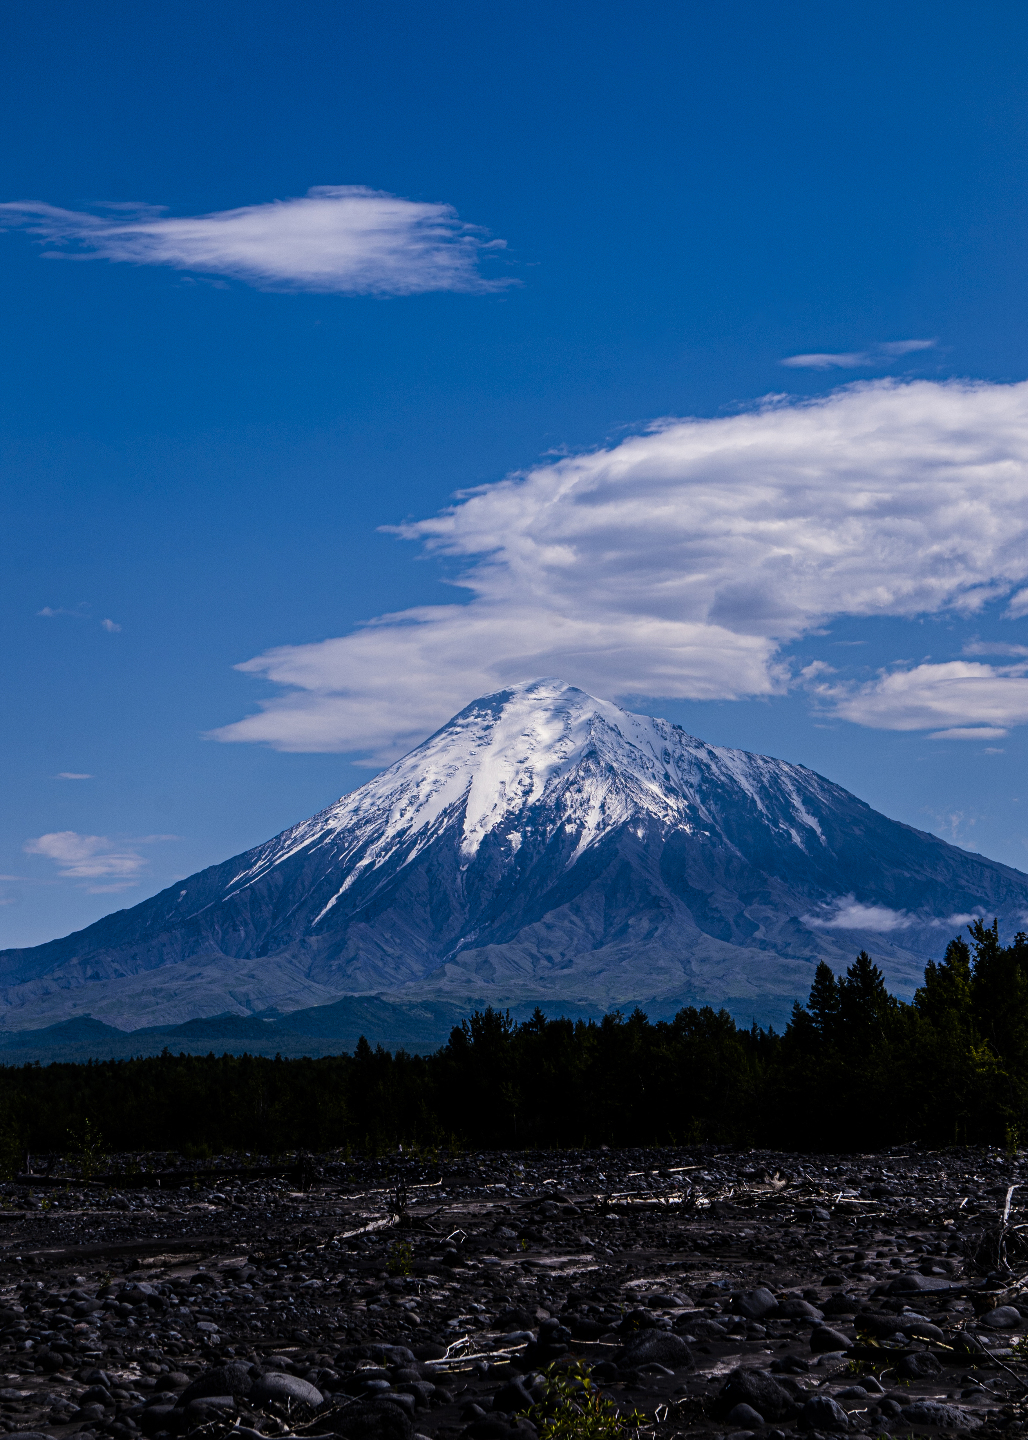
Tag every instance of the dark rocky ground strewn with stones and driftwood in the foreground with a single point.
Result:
(706, 1292)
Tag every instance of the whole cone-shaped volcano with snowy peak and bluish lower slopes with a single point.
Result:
(544, 846)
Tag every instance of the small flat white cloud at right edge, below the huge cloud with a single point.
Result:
(967, 699)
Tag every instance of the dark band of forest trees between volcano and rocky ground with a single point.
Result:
(855, 1069)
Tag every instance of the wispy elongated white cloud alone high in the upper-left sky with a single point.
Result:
(336, 240)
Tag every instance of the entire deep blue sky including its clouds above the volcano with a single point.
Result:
(277, 282)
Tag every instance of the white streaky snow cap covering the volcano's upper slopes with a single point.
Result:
(590, 764)
